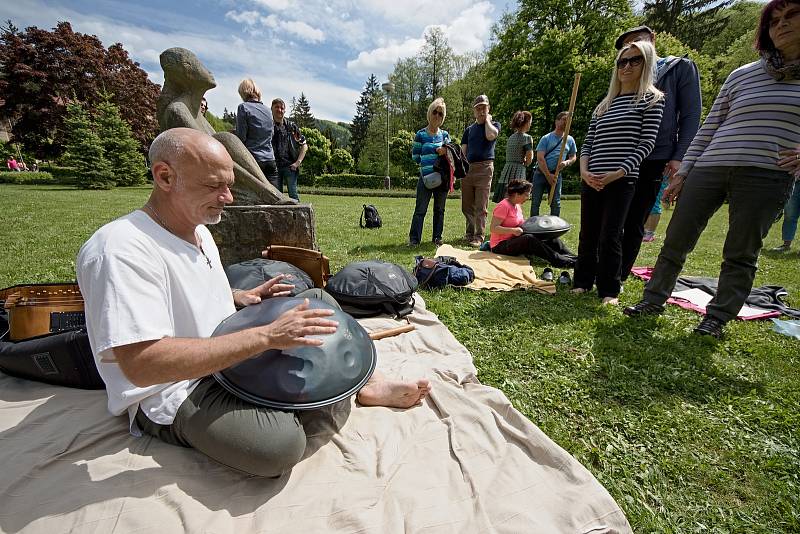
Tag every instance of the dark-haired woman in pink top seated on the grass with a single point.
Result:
(506, 234)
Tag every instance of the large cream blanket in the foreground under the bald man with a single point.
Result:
(464, 462)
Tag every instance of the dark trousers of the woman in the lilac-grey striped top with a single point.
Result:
(755, 196)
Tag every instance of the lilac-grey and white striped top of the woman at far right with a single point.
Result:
(753, 117)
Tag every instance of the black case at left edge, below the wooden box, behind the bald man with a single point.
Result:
(63, 359)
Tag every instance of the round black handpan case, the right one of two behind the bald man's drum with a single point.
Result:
(370, 288)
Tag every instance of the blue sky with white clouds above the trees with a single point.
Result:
(325, 48)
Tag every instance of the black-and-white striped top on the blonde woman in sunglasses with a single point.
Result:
(623, 136)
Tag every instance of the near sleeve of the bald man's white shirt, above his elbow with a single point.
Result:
(127, 297)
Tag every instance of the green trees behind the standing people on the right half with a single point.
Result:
(530, 65)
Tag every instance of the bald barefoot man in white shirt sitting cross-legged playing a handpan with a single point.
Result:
(155, 290)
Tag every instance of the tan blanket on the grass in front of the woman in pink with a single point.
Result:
(498, 272)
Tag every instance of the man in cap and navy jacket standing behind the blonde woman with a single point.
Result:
(680, 81)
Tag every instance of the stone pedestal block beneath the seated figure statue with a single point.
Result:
(245, 231)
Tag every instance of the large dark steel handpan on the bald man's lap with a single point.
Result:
(302, 378)
